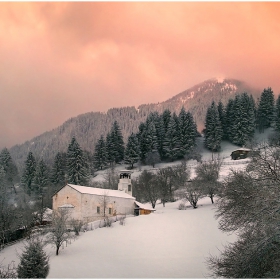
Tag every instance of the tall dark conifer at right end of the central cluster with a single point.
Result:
(187, 132)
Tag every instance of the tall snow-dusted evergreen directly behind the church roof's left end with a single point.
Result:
(76, 164)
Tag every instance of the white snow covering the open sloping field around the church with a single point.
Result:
(169, 243)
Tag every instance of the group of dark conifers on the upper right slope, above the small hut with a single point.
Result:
(239, 118)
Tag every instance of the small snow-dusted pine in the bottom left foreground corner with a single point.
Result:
(34, 263)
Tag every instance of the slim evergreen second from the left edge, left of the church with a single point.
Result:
(29, 173)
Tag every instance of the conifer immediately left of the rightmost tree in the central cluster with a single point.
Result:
(171, 142)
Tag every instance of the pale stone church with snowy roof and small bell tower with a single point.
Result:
(89, 204)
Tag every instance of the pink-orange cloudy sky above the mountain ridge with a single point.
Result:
(62, 59)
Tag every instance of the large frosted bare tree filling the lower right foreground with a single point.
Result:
(249, 205)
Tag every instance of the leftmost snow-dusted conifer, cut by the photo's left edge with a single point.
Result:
(10, 168)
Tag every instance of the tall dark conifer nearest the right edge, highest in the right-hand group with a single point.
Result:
(265, 110)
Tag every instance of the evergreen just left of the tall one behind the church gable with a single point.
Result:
(58, 169)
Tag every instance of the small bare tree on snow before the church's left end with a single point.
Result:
(59, 232)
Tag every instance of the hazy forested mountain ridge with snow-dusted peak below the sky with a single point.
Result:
(88, 127)
